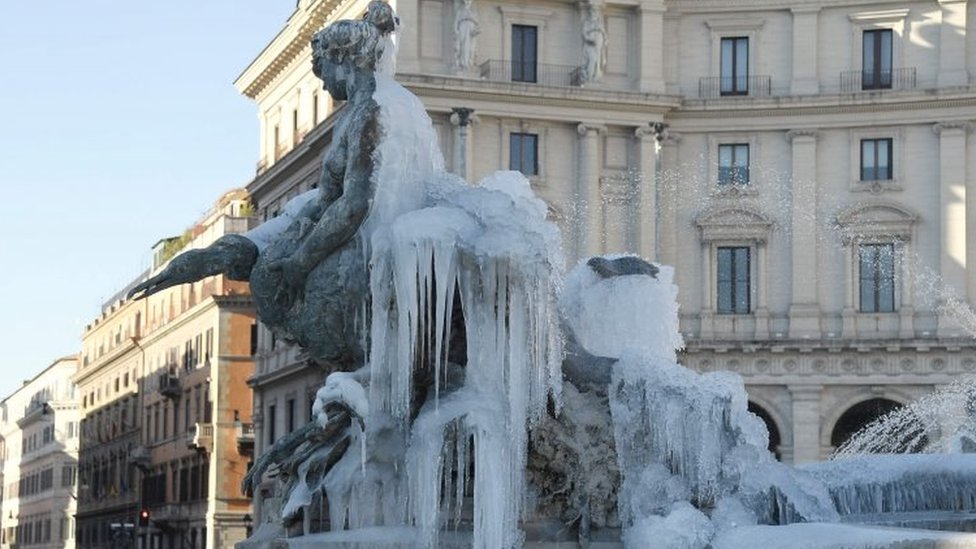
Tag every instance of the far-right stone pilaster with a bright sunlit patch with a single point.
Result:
(952, 194)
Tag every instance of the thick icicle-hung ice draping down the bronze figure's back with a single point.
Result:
(435, 240)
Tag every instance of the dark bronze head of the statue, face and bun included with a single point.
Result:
(352, 45)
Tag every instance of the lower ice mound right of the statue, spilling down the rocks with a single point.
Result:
(681, 437)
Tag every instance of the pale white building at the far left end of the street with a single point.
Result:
(39, 429)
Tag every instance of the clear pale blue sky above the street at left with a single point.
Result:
(120, 125)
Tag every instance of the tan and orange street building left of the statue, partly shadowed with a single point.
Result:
(166, 411)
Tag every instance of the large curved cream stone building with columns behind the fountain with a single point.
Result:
(804, 165)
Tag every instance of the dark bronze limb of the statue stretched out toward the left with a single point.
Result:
(232, 255)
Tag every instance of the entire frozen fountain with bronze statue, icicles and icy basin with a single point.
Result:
(478, 398)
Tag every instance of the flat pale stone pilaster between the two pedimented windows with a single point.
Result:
(805, 305)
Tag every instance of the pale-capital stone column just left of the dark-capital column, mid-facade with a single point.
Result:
(589, 241)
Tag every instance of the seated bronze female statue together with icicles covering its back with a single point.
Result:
(431, 301)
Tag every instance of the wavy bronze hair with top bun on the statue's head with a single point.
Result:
(358, 41)
